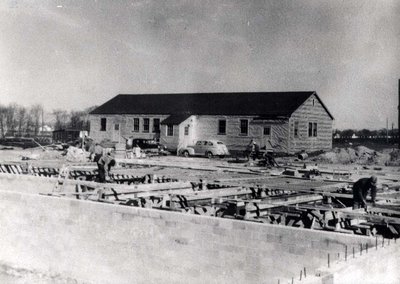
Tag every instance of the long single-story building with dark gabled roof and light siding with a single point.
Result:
(286, 121)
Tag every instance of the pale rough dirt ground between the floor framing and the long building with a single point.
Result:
(359, 160)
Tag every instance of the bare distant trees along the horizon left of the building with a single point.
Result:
(17, 120)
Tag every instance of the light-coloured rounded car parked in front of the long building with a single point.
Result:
(208, 148)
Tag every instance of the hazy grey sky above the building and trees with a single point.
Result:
(75, 54)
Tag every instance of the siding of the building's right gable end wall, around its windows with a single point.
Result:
(306, 113)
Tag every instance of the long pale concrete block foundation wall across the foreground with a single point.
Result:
(102, 243)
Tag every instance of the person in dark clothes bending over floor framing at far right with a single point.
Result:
(361, 189)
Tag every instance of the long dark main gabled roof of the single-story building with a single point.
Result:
(271, 104)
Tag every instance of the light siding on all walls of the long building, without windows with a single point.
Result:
(202, 127)
